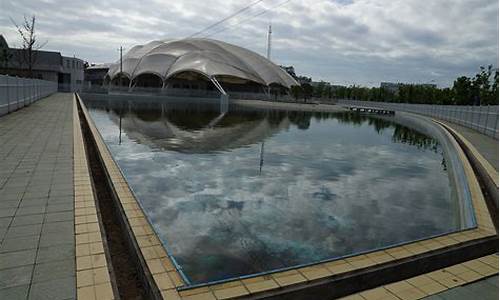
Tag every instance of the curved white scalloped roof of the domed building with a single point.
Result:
(206, 56)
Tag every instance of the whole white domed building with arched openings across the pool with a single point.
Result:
(197, 64)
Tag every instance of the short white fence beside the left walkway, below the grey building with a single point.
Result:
(16, 92)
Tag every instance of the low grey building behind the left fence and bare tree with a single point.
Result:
(48, 65)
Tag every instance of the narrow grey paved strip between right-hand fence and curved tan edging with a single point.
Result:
(487, 146)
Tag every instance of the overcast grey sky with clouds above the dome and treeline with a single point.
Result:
(342, 41)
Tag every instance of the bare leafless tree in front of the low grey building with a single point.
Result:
(29, 43)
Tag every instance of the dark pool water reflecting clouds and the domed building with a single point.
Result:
(254, 190)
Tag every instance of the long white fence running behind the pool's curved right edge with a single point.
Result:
(483, 118)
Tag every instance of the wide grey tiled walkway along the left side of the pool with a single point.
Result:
(37, 245)
